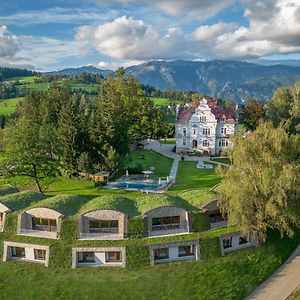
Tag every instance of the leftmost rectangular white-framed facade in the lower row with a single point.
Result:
(26, 252)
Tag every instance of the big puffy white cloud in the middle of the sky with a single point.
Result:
(130, 39)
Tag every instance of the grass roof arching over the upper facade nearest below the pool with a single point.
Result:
(151, 201)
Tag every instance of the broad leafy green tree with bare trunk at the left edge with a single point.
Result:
(28, 151)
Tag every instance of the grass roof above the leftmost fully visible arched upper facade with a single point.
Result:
(65, 204)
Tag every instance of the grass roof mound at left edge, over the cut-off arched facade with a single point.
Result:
(21, 200)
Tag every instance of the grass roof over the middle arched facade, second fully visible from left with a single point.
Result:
(114, 202)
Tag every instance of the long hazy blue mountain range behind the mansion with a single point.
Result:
(225, 79)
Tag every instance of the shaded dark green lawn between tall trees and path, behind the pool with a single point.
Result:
(147, 159)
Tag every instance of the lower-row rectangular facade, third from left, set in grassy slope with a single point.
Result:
(177, 251)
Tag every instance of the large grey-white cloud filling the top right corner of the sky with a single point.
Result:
(274, 28)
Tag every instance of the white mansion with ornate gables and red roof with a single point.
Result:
(205, 127)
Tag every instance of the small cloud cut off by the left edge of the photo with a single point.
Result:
(8, 43)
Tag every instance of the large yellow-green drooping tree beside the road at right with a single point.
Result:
(268, 189)
